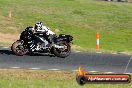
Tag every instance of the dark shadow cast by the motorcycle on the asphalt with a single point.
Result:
(9, 52)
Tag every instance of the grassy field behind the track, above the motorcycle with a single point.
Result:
(80, 18)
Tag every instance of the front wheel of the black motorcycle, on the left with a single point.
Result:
(18, 48)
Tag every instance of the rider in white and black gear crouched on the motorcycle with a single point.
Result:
(40, 28)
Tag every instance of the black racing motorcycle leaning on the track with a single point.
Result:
(60, 48)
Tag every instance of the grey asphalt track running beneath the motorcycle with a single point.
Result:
(92, 62)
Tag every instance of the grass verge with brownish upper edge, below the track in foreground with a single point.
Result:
(46, 79)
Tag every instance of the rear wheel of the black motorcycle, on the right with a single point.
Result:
(62, 52)
